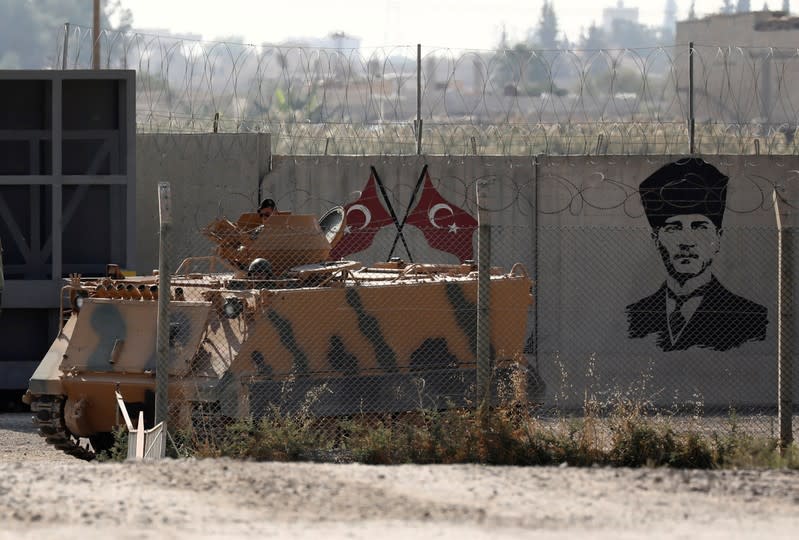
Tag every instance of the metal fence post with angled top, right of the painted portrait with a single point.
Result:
(784, 326)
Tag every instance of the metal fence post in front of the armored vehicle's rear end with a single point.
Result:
(483, 293)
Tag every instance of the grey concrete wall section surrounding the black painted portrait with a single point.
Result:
(596, 257)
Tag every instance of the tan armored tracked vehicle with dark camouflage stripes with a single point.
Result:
(265, 321)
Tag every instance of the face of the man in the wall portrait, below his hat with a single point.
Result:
(687, 244)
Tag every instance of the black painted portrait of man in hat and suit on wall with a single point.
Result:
(684, 203)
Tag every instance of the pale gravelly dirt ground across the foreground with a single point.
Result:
(44, 494)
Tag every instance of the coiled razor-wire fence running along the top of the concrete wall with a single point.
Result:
(409, 100)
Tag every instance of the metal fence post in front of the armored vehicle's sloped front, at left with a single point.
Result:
(162, 331)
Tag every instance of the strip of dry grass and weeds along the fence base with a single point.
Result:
(513, 434)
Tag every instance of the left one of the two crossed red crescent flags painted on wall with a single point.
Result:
(364, 218)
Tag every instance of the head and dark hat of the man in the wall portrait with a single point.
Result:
(684, 202)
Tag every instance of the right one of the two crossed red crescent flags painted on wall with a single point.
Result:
(445, 226)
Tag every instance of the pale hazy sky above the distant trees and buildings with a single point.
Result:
(473, 24)
